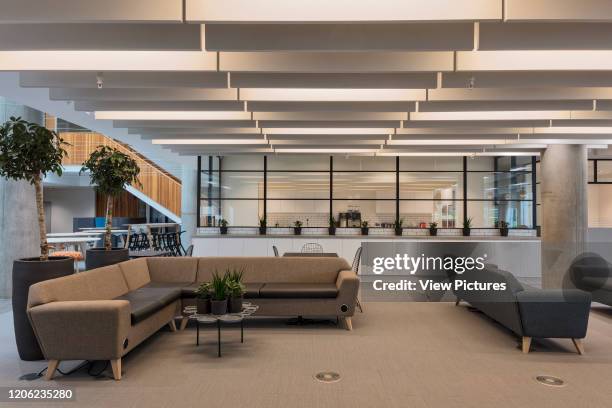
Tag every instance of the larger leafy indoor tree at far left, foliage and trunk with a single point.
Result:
(28, 151)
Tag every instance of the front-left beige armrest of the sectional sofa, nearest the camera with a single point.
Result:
(88, 330)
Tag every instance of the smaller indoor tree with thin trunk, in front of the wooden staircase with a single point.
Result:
(111, 170)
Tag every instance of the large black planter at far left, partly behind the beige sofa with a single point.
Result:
(27, 272)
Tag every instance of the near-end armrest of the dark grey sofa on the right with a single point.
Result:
(554, 313)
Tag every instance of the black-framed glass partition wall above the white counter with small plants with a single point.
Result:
(379, 190)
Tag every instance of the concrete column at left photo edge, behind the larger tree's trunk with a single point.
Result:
(19, 236)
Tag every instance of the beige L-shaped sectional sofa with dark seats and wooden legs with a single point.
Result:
(104, 313)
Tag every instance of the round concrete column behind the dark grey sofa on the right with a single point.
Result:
(563, 175)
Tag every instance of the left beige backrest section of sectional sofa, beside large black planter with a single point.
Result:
(98, 284)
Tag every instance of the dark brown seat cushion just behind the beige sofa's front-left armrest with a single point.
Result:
(147, 300)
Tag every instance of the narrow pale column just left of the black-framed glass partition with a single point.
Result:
(189, 194)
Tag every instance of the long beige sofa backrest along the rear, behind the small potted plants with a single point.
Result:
(274, 269)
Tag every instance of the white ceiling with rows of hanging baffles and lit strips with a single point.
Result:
(384, 77)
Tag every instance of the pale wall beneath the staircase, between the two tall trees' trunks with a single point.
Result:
(68, 203)
